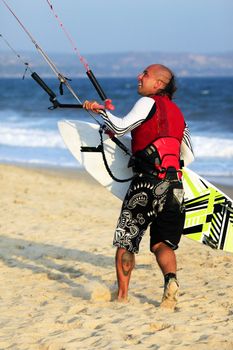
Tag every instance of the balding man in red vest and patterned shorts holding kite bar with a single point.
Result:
(155, 195)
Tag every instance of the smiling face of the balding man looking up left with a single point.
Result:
(147, 82)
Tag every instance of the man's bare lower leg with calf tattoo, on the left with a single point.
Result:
(125, 262)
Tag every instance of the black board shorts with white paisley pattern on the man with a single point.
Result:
(155, 202)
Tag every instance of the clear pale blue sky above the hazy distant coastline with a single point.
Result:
(107, 26)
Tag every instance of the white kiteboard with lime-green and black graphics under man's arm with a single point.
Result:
(209, 212)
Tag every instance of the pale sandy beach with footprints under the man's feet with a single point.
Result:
(57, 275)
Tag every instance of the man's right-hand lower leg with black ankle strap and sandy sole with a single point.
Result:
(166, 260)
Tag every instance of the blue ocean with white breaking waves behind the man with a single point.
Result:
(29, 133)
